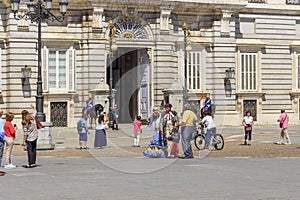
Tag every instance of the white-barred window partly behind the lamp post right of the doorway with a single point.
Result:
(194, 71)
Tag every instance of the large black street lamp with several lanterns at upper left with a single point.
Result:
(38, 13)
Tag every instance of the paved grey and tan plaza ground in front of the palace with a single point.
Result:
(263, 170)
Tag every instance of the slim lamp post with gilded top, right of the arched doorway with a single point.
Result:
(187, 48)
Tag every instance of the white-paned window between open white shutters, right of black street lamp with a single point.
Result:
(57, 70)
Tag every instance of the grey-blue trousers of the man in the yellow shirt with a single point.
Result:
(187, 133)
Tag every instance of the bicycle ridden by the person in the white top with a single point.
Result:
(217, 140)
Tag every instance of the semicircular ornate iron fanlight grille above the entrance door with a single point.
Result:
(130, 28)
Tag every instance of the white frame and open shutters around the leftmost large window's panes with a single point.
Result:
(70, 69)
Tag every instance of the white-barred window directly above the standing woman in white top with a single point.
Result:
(248, 71)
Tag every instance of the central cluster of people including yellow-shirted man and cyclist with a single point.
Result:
(168, 122)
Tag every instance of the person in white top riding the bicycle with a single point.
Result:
(210, 127)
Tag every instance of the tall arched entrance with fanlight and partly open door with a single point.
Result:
(131, 68)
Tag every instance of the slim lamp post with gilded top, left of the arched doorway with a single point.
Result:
(112, 48)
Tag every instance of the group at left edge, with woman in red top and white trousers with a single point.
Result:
(8, 135)
